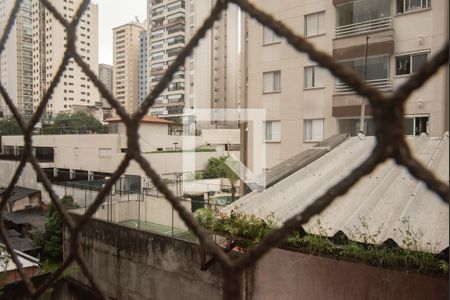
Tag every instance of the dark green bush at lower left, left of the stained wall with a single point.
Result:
(51, 240)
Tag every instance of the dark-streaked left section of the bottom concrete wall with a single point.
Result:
(133, 264)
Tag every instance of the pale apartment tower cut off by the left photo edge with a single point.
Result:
(16, 66)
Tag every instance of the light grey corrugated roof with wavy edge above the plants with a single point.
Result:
(382, 199)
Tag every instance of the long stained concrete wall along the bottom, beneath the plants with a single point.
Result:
(142, 265)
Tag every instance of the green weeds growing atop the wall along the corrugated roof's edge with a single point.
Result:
(248, 230)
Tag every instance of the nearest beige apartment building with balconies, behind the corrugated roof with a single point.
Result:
(306, 104)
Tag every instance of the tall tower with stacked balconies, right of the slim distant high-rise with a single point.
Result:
(209, 78)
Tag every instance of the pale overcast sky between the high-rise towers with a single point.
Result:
(113, 13)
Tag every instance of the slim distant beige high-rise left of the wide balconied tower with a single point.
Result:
(126, 43)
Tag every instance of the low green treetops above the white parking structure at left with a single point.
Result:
(79, 122)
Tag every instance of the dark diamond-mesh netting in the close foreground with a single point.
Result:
(388, 113)
